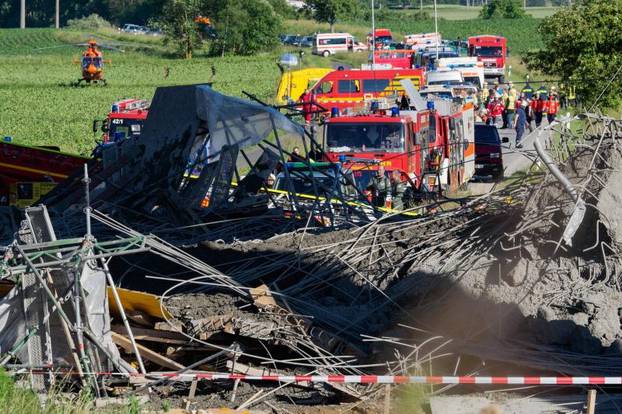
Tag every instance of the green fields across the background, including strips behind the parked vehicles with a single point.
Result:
(37, 107)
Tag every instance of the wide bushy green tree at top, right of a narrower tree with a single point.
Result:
(244, 27)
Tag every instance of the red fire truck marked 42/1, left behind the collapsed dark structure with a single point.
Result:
(125, 120)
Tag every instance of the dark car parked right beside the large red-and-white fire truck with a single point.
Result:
(488, 152)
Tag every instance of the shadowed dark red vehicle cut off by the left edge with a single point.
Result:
(27, 173)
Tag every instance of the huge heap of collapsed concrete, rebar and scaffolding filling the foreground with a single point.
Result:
(489, 288)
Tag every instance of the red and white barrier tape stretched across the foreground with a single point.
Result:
(367, 379)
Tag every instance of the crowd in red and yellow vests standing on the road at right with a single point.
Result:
(507, 108)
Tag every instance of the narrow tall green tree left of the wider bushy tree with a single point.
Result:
(179, 26)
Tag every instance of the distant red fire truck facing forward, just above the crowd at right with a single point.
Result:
(492, 51)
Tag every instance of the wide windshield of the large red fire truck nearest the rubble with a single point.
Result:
(381, 136)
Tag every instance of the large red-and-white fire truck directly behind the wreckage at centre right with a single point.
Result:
(431, 148)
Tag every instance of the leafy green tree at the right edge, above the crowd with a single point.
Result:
(583, 47)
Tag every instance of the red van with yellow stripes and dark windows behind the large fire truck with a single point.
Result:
(350, 88)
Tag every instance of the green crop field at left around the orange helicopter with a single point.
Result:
(38, 107)
